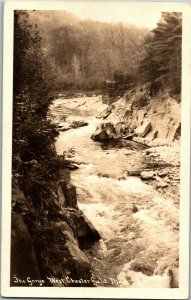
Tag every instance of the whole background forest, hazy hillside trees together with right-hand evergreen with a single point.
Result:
(83, 53)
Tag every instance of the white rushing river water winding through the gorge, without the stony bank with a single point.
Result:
(137, 225)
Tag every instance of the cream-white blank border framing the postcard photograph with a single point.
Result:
(126, 293)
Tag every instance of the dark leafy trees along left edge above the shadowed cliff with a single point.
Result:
(33, 135)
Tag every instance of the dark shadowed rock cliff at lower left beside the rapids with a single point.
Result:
(48, 237)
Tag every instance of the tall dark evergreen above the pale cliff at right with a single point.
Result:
(162, 61)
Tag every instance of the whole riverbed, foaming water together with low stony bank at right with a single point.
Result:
(130, 192)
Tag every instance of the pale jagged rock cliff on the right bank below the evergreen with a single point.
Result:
(150, 120)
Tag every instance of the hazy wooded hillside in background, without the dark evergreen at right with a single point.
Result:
(86, 52)
